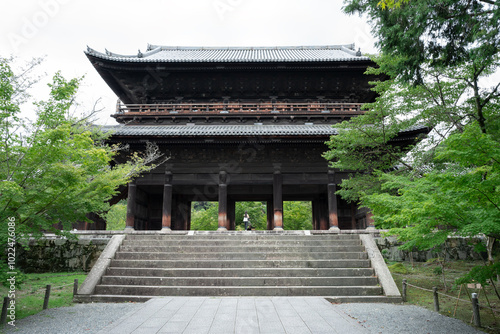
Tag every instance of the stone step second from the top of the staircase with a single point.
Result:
(241, 243)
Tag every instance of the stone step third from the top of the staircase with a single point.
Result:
(239, 256)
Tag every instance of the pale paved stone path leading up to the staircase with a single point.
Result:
(223, 315)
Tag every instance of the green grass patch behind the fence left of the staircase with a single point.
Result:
(30, 294)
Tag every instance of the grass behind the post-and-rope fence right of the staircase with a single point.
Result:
(427, 275)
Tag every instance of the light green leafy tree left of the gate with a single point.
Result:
(55, 169)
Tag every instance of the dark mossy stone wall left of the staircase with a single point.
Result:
(55, 254)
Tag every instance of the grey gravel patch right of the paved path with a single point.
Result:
(401, 319)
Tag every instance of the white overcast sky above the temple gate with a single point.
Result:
(60, 30)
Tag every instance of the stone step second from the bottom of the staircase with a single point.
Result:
(238, 281)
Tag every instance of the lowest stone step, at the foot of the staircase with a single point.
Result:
(237, 291)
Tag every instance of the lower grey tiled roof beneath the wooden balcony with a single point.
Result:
(220, 130)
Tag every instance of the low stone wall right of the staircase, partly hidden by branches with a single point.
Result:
(456, 249)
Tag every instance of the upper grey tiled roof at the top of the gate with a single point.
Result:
(157, 53)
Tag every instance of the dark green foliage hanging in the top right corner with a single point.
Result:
(441, 33)
